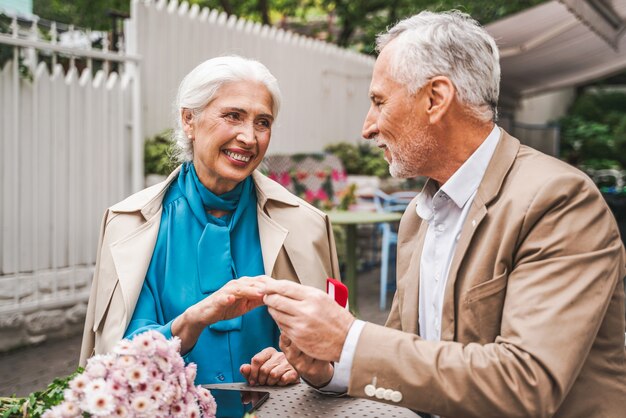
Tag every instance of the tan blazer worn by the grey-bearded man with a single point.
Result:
(533, 315)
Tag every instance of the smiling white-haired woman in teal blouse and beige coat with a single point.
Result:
(181, 257)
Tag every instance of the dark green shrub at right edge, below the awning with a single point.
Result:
(593, 134)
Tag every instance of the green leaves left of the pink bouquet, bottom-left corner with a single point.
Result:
(35, 404)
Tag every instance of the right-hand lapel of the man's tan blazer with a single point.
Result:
(498, 167)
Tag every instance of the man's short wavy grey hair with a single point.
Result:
(451, 44)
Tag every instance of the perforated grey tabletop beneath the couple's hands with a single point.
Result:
(300, 400)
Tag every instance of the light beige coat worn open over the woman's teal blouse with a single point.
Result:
(296, 241)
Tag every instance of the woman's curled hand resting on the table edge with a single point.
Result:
(269, 367)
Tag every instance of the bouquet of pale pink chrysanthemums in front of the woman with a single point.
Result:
(142, 377)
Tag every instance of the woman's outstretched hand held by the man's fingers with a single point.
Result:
(234, 299)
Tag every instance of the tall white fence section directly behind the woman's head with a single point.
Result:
(324, 87)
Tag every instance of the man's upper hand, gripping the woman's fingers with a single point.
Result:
(310, 318)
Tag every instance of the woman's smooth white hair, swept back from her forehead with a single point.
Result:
(199, 88)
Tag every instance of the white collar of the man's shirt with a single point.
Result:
(464, 182)
